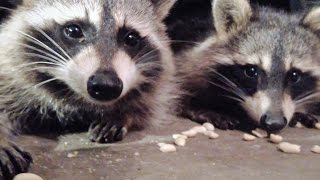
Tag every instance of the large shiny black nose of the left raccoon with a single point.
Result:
(104, 86)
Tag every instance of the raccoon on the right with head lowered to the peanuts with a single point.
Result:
(260, 69)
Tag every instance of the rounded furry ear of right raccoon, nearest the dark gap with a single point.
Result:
(230, 15)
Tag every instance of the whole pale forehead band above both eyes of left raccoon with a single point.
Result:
(137, 14)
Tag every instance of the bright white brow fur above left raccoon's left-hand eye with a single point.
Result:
(62, 12)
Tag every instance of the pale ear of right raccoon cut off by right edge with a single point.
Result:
(312, 20)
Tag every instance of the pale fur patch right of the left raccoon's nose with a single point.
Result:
(126, 70)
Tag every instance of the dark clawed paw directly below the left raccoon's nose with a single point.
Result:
(106, 132)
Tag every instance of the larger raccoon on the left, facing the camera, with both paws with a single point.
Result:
(68, 65)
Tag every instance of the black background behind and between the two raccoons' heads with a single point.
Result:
(191, 20)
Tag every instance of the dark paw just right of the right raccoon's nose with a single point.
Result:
(307, 120)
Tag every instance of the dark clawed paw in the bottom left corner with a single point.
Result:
(13, 161)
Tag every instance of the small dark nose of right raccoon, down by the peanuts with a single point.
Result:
(273, 123)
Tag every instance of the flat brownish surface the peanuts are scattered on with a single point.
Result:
(138, 157)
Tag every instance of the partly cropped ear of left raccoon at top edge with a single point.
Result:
(163, 7)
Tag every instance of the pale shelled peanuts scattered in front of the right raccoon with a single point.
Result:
(207, 129)
